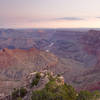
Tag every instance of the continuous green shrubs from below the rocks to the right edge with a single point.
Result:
(52, 91)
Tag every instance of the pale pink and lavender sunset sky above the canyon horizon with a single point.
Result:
(49, 13)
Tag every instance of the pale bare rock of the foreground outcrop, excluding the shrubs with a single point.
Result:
(45, 77)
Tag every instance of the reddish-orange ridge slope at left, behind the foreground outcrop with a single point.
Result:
(18, 60)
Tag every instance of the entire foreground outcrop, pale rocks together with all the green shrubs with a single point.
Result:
(45, 85)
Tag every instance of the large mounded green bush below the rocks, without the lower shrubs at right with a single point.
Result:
(52, 91)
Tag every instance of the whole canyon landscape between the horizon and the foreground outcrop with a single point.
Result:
(73, 54)
